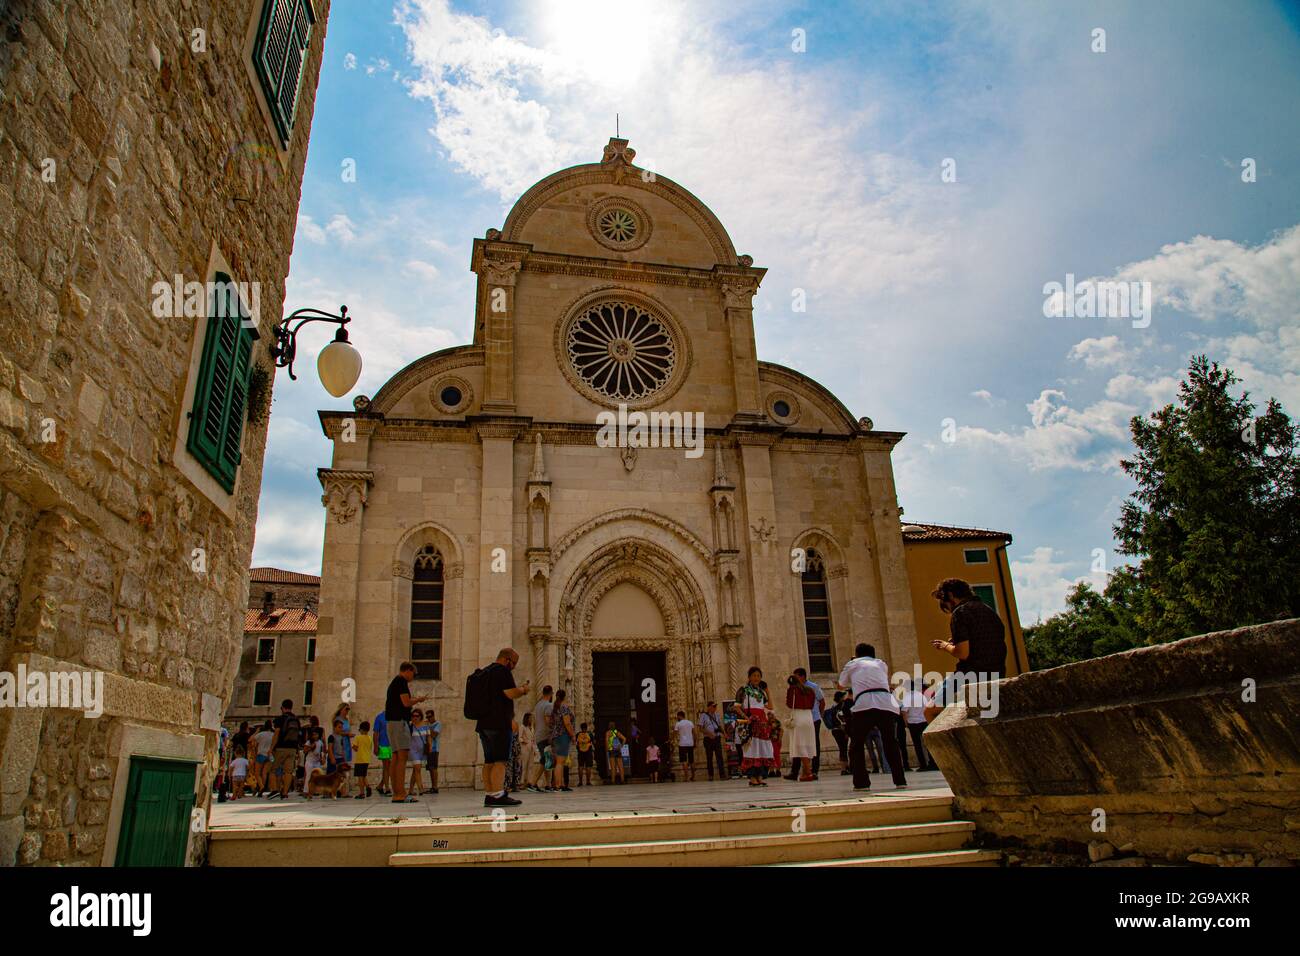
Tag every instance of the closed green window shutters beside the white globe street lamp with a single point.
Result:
(222, 393)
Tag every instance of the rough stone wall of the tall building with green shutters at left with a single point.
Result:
(125, 155)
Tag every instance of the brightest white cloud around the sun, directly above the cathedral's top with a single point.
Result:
(508, 113)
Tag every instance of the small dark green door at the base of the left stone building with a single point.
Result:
(157, 819)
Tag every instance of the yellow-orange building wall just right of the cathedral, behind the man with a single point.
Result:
(930, 563)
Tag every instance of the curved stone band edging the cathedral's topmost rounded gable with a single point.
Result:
(617, 168)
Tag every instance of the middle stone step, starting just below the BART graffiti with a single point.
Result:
(716, 851)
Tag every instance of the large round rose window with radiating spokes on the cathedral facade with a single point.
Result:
(621, 351)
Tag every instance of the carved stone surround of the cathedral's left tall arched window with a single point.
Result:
(410, 548)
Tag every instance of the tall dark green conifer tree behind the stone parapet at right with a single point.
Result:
(1215, 521)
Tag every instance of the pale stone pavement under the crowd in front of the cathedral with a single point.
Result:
(688, 798)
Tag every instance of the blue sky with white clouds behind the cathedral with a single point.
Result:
(925, 299)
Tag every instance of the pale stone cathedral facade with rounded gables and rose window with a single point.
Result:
(471, 504)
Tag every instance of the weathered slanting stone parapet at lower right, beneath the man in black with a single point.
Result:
(1189, 750)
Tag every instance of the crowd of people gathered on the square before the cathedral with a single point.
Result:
(548, 750)
